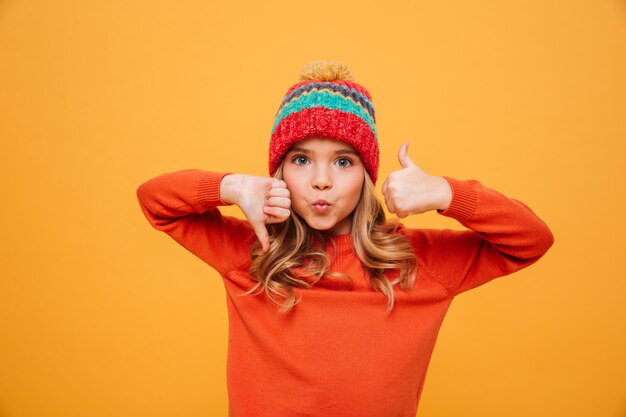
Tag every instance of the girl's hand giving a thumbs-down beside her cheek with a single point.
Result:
(263, 200)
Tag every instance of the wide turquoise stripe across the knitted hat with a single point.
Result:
(327, 99)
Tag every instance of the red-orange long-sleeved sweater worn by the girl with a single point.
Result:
(338, 353)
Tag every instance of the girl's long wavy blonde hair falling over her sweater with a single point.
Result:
(294, 255)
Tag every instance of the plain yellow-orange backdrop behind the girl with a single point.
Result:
(101, 315)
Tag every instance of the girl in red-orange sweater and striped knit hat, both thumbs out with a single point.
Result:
(333, 310)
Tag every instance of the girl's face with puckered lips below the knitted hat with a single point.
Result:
(317, 169)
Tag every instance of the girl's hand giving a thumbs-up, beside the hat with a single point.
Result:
(412, 191)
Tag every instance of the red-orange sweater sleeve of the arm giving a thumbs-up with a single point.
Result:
(504, 236)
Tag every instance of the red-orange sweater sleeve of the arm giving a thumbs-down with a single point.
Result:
(184, 204)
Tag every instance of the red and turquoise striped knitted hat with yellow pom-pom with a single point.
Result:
(327, 104)
